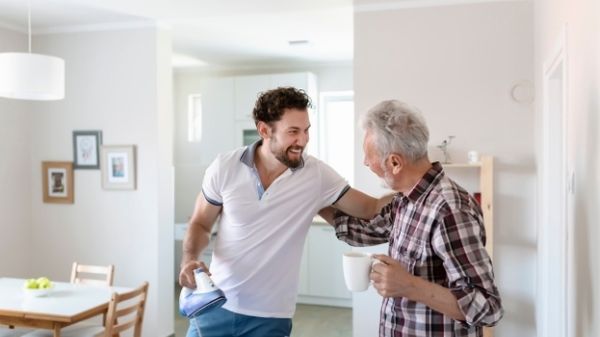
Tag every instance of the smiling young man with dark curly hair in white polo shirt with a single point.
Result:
(266, 195)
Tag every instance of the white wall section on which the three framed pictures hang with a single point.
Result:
(117, 82)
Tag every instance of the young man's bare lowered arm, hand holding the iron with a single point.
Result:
(196, 239)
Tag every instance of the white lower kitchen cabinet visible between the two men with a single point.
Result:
(321, 272)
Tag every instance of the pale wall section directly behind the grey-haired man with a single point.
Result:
(458, 64)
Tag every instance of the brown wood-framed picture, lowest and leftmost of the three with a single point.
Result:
(57, 178)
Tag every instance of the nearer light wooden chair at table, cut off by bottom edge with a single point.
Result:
(125, 311)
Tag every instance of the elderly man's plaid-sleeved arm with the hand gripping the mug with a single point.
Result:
(470, 295)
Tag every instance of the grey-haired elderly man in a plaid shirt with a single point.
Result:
(438, 278)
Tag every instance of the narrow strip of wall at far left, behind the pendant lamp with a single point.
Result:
(15, 170)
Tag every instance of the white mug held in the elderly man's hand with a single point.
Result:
(357, 267)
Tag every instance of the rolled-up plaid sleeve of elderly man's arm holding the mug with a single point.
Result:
(460, 242)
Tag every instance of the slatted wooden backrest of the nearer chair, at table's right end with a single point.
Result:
(126, 310)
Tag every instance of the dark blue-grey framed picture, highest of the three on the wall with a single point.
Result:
(86, 149)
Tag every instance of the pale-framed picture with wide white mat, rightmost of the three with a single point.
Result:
(118, 167)
